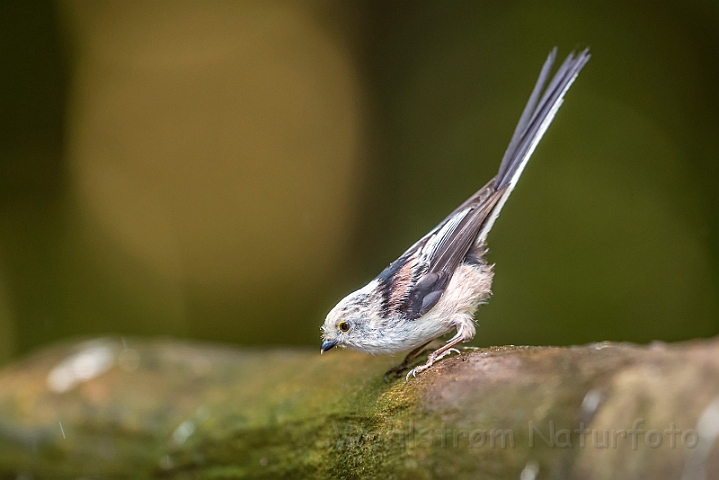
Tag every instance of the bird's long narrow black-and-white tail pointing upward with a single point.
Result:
(537, 115)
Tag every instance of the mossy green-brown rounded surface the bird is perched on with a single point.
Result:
(129, 408)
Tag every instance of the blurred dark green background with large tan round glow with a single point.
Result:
(229, 170)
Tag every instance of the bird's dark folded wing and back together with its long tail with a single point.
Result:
(415, 282)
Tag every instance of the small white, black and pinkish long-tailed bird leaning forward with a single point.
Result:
(436, 286)
